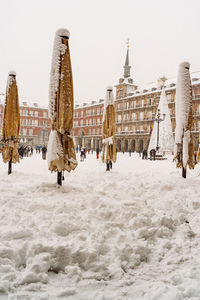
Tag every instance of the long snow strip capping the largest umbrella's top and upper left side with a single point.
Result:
(58, 50)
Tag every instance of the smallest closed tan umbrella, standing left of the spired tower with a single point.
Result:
(109, 154)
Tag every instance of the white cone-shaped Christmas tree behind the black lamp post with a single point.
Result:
(166, 140)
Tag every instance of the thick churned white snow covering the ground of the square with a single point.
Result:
(132, 233)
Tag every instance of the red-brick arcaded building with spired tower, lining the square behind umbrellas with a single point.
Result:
(135, 114)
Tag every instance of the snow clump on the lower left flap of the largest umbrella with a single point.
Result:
(55, 149)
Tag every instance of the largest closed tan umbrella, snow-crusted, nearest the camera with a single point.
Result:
(61, 151)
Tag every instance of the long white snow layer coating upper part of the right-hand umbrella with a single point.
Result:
(182, 100)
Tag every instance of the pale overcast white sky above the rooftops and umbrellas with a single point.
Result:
(162, 34)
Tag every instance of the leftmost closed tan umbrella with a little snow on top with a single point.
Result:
(11, 123)
